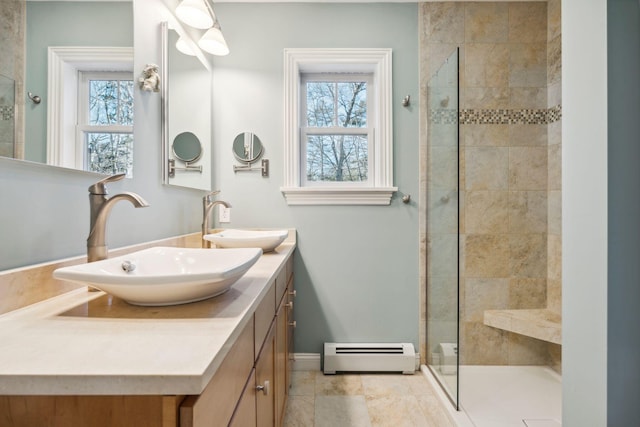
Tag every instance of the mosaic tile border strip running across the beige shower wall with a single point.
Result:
(497, 116)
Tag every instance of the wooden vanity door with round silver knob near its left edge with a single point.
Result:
(265, 370)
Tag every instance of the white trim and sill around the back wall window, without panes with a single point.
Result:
(380, 188)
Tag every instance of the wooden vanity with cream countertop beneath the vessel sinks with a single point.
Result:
(89, 359)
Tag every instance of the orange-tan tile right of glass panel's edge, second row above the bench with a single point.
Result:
(486, 255)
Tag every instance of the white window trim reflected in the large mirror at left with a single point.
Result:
(64, 62)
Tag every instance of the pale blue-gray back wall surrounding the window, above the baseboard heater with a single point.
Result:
(356, 267)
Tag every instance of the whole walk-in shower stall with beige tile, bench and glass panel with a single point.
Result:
(491, 230)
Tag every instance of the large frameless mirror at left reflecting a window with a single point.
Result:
(72, 70)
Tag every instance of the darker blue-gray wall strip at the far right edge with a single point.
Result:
(623, 329)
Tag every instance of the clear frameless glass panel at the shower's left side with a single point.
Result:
(443, 225)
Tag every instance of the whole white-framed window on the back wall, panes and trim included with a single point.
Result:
(338, 136)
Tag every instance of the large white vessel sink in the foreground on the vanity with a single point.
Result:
(165, 275)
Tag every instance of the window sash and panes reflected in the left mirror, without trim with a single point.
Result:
(105, 122)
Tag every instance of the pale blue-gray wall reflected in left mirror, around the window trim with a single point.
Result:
(65, 24)
